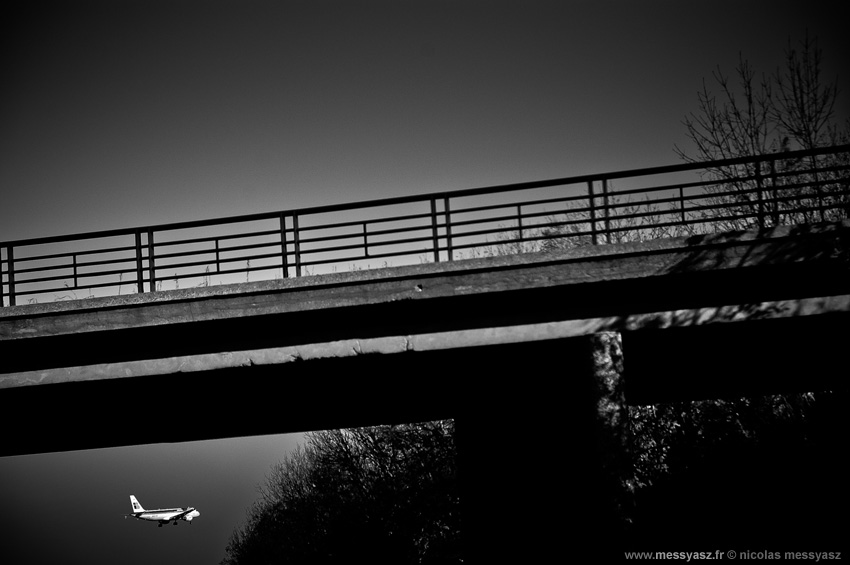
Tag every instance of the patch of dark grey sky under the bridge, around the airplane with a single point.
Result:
(69, 507)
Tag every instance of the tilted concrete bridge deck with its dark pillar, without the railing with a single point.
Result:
(536, 357)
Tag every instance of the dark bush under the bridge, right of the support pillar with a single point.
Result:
(738, 473)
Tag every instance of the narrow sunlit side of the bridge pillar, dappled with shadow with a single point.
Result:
(611, 424)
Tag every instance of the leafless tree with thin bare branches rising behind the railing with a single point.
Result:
(792, 109)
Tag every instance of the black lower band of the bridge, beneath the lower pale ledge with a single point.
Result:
(538, 377)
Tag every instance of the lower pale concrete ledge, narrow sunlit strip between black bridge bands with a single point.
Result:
(429, 341)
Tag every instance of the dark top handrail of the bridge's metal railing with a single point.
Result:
(683, 167)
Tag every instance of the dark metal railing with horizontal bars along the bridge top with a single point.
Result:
(742, 193)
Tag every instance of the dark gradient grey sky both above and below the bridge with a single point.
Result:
(124, 113)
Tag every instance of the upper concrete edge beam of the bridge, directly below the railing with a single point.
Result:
(820, 249)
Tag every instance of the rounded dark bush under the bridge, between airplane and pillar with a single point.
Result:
(385, 494)
